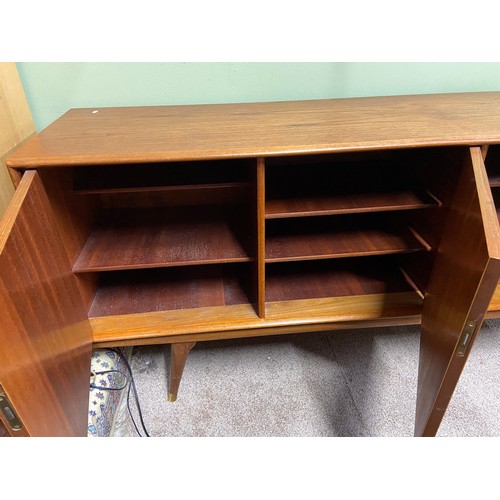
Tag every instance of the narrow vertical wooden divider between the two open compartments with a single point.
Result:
(261, 235)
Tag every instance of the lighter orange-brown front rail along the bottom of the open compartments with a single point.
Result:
(292, 316)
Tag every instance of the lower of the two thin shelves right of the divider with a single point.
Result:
(336, 239)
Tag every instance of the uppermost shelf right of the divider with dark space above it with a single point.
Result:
(325, 184)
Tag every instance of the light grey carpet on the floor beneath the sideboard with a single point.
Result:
(352, 383)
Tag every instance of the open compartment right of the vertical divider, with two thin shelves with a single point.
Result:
(333, 221)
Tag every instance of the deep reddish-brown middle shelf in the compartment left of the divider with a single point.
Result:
(144, 238)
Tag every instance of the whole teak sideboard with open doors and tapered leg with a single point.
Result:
(179, 224)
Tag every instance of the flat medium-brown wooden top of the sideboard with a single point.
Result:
(210, 131)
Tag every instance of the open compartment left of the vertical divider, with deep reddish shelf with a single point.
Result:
(167, 236)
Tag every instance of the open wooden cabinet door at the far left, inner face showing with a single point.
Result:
(45, 335)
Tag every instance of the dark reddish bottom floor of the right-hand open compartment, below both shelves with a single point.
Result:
(339, 278)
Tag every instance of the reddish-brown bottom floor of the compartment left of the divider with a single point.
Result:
(150, 290)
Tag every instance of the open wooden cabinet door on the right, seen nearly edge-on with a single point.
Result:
(464, 277)
